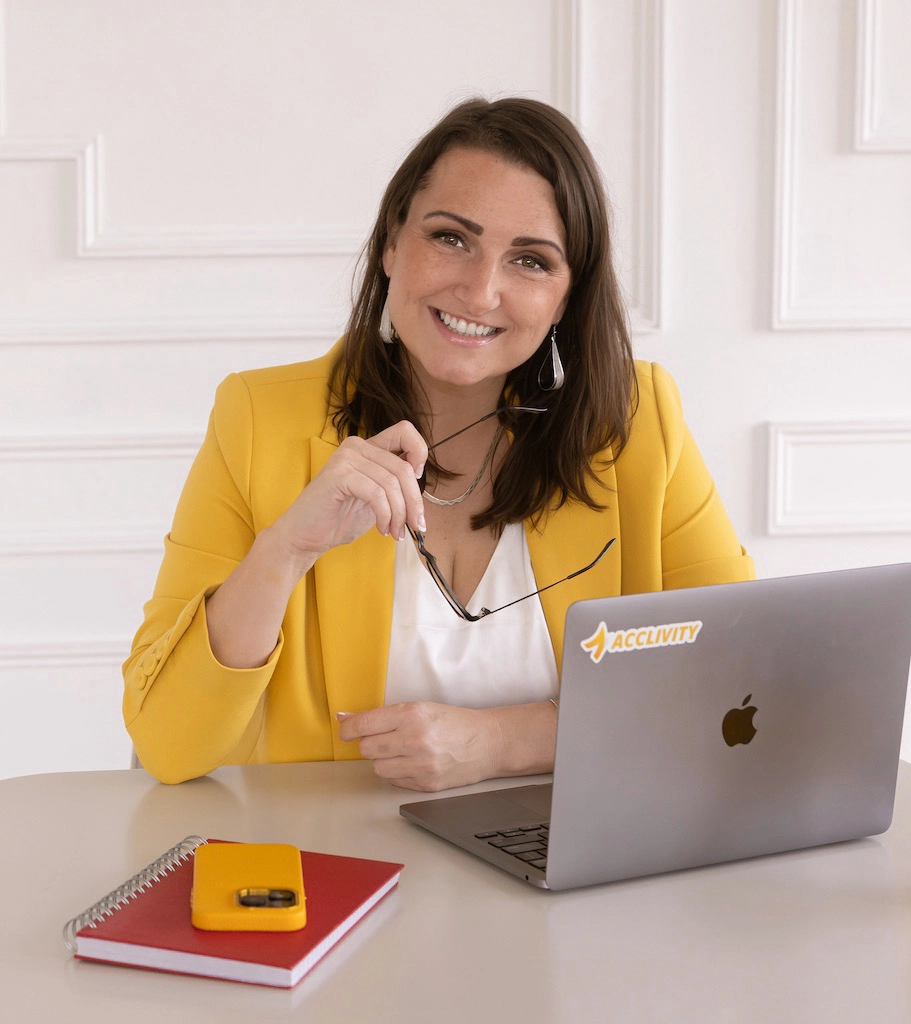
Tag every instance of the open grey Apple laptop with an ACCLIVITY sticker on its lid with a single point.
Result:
(708, 726)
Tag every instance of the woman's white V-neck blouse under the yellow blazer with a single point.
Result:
(505, 659)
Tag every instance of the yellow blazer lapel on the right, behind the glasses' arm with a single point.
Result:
(568, 540)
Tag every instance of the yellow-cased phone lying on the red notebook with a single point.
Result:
(248, 887)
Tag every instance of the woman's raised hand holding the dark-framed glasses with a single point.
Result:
(368, 482)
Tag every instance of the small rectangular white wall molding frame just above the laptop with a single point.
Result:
(786, 517)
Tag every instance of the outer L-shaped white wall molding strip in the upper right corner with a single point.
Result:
(789, 314)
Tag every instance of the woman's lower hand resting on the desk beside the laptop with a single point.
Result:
(428, 747)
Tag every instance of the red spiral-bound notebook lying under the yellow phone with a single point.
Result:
(147, 922)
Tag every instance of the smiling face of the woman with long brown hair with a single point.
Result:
(478, 273)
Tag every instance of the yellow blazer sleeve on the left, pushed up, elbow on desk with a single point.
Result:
(187, 713)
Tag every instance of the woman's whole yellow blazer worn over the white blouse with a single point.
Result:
(269, 436)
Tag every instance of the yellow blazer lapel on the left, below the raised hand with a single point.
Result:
(355, 584)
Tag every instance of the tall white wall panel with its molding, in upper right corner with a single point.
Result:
(844, 218)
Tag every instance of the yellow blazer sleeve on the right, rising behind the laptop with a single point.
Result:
(700, 546)
